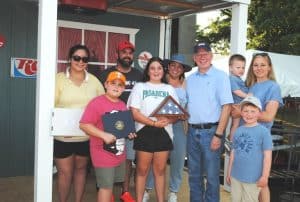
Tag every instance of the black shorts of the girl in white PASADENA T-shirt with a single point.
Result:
(152, 139)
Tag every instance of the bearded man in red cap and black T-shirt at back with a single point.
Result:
(124, 51)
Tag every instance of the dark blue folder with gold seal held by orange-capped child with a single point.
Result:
(119, 123)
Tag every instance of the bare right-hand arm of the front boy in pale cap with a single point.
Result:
(263, 180)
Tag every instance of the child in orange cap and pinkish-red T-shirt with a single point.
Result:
(109, 166)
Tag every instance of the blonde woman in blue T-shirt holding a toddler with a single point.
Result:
(262, 84)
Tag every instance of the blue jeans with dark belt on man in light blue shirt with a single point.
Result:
(203, 162)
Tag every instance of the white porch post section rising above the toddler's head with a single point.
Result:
(238, 36)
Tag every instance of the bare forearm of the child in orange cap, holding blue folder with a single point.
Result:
(90, 129)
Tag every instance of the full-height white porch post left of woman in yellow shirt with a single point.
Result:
(47, 37)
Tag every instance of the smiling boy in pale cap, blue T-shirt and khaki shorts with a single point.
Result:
(251, 154)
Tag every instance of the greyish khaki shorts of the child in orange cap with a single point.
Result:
(106, 177)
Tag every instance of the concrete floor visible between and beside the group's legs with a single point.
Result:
(20, 189)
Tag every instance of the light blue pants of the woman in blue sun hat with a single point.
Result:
(177, 156)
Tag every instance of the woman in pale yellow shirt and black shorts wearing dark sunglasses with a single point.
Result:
(74, 89)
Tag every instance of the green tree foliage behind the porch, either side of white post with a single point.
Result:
(273, 25)
